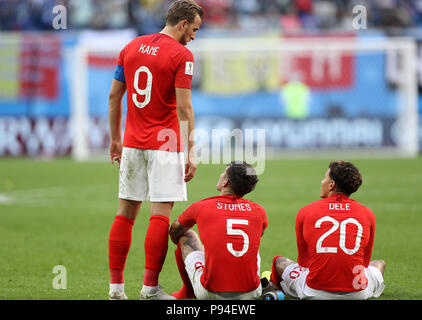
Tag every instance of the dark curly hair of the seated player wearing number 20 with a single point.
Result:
(346, 176)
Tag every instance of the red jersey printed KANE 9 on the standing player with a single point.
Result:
(154, 65)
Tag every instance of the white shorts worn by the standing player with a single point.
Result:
(153, 175)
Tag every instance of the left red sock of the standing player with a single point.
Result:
(118, 247)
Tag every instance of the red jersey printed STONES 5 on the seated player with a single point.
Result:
(230, 229)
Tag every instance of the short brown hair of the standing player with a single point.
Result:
(183, 10)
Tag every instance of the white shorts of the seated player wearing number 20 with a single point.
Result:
(294, 284)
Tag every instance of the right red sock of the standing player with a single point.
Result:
(156, 245)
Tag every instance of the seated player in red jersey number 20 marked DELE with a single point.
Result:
(335, 237)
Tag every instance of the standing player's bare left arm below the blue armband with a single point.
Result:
(117, 92)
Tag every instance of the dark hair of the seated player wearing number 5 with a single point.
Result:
(242, 177)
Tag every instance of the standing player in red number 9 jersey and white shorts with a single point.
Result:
(156, 70)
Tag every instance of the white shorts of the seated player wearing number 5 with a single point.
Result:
(194, 264)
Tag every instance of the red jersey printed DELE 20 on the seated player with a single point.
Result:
(335, 237)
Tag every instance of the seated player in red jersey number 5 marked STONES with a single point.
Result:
(226, 264)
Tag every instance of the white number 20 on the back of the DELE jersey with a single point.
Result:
(342, 240)
